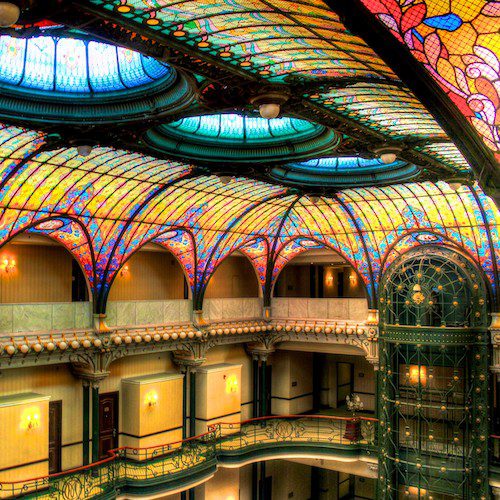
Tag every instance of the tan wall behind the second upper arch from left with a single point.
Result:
(151, 276)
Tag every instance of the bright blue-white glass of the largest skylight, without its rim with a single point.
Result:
(74, 66)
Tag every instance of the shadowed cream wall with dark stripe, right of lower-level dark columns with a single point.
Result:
(292, 383)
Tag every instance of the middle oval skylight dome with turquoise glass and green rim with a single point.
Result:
(242, 138)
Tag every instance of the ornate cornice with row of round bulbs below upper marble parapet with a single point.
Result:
(73, 346)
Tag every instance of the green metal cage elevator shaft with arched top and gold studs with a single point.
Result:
(433, 382)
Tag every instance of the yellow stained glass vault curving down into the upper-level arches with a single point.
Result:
(122, 200)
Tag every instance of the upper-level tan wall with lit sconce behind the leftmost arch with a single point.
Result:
(41, 274)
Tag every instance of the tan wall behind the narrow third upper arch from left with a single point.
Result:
(235, 278)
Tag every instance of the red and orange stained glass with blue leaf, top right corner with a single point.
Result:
(458, 44)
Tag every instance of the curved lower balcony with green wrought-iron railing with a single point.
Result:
(160, 468)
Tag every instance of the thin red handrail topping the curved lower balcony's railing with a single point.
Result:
(177, 445)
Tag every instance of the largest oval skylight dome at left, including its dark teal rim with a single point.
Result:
(64, 76)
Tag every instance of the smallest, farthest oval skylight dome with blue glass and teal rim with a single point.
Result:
(345, 171)
